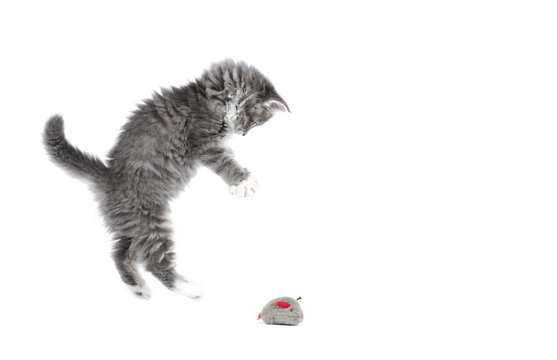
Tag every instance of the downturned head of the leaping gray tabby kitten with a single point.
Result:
(248, 97)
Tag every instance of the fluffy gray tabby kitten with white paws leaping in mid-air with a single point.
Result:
(157, 153)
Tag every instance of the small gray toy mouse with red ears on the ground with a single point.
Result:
(282, 311)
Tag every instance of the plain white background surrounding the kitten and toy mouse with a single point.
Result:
(410, 197)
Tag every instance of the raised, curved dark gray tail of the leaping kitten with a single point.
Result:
(68, 156)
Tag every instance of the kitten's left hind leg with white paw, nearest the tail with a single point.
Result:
(127, 268)
